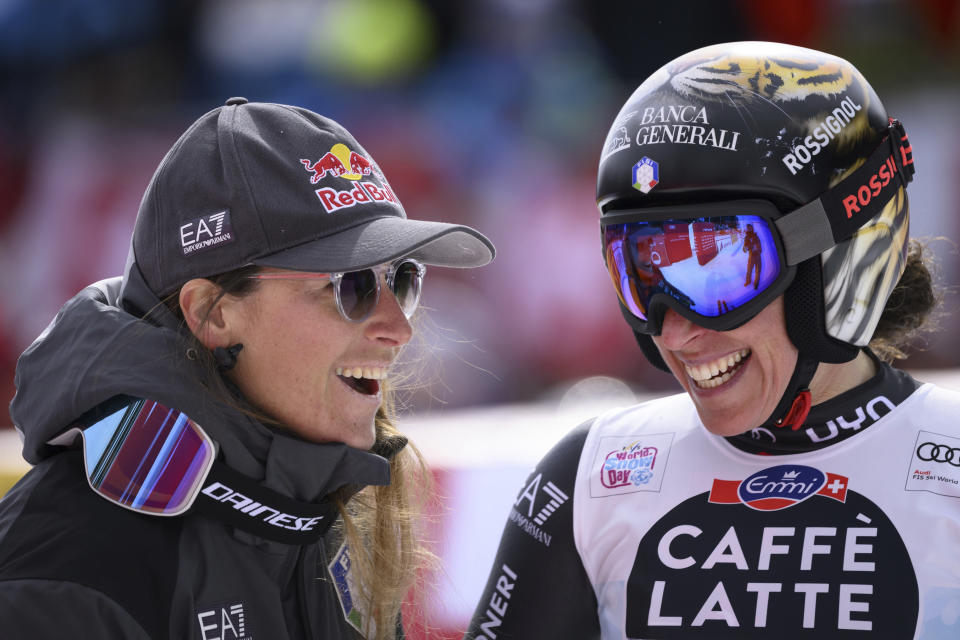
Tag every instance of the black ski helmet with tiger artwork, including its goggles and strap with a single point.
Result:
(746, 170)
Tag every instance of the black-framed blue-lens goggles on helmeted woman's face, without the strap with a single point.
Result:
(717, 267)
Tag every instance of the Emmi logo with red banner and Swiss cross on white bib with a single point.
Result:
(779, 487)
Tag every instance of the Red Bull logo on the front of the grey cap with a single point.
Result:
(341, 162)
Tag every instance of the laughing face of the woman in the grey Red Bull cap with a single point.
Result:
(306, 366)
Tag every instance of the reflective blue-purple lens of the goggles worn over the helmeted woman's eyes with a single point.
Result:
(710, 266)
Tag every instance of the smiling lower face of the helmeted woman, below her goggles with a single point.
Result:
(735, 378)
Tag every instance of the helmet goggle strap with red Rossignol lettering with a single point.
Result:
(837, 214)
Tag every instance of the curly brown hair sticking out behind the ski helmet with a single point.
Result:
(910, 312)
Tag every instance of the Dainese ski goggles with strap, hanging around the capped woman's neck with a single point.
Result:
(154, 460)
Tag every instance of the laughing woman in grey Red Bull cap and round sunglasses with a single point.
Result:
(213, 433)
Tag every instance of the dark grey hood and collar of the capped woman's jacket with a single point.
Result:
(94, 350)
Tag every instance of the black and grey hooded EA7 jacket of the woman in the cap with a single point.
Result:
(75, 565)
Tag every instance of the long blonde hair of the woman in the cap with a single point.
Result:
(381, 525)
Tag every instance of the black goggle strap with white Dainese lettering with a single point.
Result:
(244, 503)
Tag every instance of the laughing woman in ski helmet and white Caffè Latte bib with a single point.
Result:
(800, 485)
